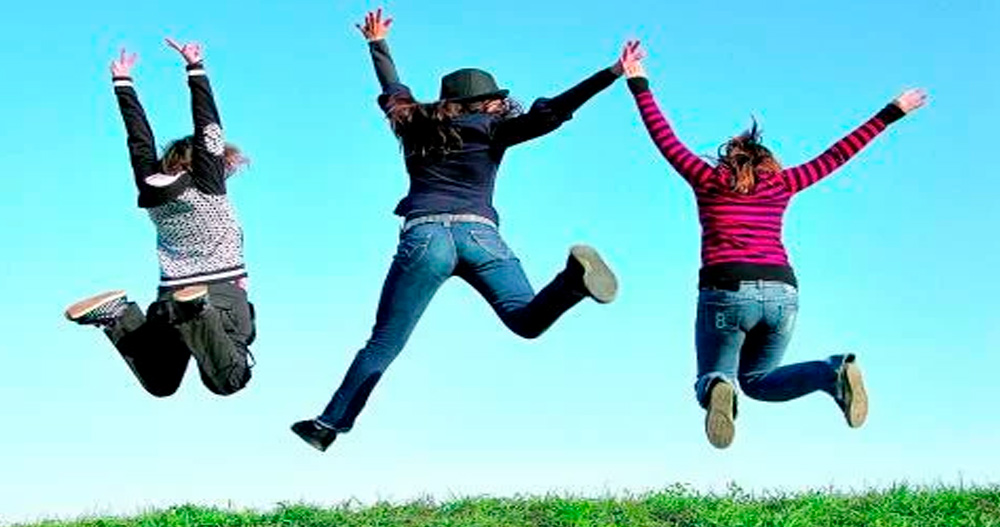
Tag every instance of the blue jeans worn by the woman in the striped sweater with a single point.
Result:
(743, 335)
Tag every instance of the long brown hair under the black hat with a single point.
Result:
(427, 130)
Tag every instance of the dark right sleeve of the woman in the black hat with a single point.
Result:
(547, 114)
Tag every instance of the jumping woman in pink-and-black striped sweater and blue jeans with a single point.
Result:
(748, 296)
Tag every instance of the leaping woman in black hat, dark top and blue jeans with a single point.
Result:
(453, 148)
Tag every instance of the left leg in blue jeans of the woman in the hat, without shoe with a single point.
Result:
(424, 259)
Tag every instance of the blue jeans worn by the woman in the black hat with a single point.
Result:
(427, 255)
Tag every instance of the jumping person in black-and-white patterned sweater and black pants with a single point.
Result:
(202, 307)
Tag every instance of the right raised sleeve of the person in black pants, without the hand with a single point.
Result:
(208, 150)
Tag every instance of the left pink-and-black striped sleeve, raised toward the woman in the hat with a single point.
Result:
(691, 167)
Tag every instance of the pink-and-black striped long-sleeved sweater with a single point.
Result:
(741, 233)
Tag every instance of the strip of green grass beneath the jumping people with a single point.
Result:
(676, 507)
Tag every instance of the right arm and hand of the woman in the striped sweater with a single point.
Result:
(809, 173)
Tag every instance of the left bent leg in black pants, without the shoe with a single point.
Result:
(152, 348)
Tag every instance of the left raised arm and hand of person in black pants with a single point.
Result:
(141, 144)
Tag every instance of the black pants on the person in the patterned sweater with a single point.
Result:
(158, 345)
